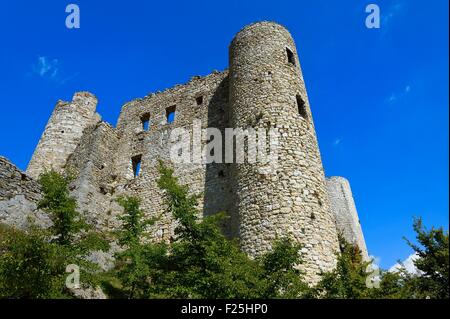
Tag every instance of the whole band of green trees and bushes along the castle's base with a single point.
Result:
(199, 261)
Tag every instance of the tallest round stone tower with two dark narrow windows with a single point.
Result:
(267, 90)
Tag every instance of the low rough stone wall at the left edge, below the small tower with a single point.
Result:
(19, 195)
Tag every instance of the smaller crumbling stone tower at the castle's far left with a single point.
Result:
(63, 133)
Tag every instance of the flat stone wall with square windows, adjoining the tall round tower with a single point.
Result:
(154, 144)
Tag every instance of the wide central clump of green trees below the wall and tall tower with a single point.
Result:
(199, 262)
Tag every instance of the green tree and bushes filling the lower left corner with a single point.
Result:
(33, 261)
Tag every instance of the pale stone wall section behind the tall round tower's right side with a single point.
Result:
(344, 209)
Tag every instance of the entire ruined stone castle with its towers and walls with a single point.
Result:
(263, 88)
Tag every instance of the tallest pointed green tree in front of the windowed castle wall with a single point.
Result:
(202, 262)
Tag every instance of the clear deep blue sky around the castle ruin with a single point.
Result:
(379, 97)
